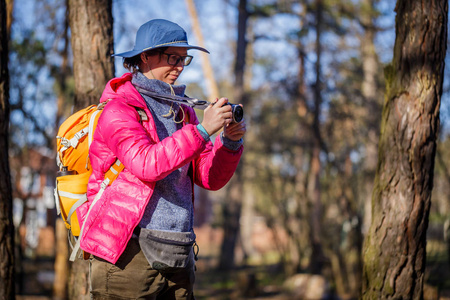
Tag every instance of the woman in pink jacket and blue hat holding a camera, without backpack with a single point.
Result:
(140, 232)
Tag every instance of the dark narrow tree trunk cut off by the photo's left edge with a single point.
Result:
(6, 223)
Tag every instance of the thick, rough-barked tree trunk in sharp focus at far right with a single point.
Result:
(394, 250)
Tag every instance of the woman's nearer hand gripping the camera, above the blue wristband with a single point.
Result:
(216, 116)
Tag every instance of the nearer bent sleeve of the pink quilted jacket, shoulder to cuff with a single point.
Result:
(142, 154)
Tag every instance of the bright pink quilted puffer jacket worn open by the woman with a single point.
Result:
(120, 134)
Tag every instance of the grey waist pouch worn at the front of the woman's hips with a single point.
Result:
(167, 250)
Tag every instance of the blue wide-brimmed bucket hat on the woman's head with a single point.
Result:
(159, 33)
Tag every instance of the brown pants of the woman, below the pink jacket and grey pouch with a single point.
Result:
(133, 278)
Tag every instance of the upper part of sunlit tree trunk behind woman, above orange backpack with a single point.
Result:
(91, 25)
